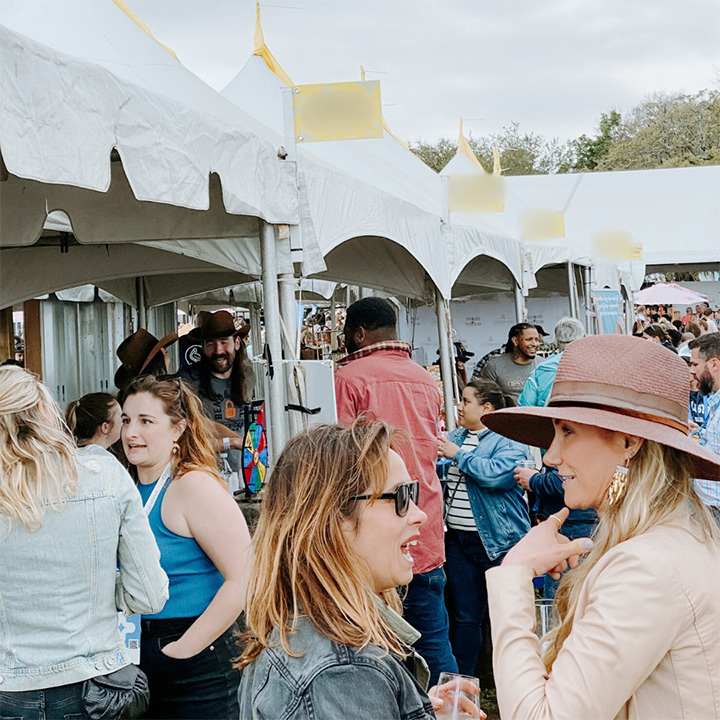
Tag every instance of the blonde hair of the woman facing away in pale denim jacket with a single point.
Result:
(37, 453)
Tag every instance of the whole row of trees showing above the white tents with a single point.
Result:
(663, 131)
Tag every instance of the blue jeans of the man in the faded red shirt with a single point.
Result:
(424, 608)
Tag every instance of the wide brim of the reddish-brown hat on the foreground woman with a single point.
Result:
(533, 426)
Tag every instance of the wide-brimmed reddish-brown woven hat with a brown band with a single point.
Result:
(619, 383)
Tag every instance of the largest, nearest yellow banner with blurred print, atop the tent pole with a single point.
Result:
(337, 111)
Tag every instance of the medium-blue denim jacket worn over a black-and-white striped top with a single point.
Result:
(497, 501)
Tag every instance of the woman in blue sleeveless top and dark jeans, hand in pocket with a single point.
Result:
(187, 648)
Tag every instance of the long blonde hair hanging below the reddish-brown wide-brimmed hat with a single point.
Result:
(659, 483)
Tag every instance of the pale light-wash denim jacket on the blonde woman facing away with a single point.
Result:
(60, 588)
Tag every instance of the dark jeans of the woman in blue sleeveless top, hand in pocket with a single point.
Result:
(203, 686)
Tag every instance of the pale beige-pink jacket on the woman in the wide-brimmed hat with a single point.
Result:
(645, 642)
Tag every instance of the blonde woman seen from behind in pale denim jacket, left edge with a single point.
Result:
(75, 546)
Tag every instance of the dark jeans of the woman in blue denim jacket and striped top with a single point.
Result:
(465, 563)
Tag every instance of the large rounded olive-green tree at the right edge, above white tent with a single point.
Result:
(667, 131)
